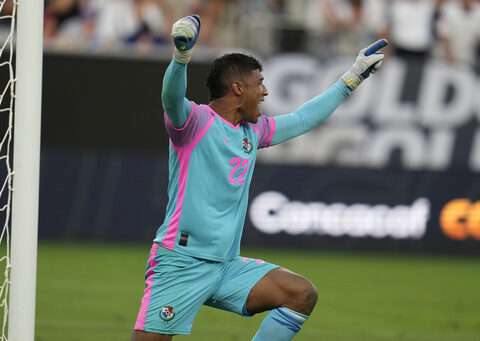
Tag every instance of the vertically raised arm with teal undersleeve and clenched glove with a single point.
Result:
(184, 34)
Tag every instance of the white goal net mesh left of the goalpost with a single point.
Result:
(7, 90)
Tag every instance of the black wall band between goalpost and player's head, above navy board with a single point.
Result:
(107, 102)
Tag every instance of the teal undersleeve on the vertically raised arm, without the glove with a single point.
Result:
(177, 107)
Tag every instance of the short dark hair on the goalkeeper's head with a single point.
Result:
(225, 68)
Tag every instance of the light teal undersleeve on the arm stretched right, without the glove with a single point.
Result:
(310, 114)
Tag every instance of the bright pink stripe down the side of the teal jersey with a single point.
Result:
(184, 154)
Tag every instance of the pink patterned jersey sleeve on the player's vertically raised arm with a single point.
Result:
(183, 136)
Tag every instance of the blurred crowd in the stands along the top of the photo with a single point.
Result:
(448, 29)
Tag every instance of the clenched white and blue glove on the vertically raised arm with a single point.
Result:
(185, 34)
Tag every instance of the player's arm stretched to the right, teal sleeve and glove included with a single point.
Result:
(318, 109)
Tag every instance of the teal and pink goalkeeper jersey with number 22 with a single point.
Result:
(210, 170)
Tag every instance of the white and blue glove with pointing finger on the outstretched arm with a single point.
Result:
(369, 60)
